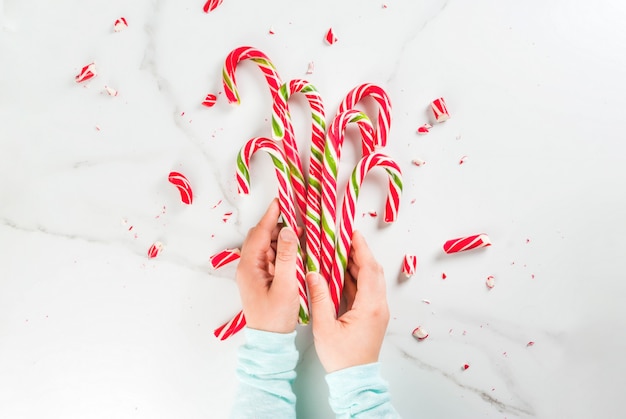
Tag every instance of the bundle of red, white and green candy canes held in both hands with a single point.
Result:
(328, 226)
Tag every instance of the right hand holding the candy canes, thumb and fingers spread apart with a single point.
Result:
(355, 338)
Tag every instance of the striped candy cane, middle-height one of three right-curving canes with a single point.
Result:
(332, 155)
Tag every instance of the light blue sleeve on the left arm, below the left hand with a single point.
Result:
(266, 371)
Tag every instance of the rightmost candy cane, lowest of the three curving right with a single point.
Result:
(348, 211)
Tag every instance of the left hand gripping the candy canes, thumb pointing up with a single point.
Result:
(266, 275)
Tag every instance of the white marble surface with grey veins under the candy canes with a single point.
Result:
(91, 328)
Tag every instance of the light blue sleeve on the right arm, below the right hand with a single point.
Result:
(360, 392)
